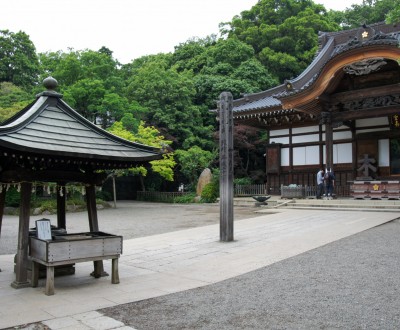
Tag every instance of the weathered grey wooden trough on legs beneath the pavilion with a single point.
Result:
(74, 248)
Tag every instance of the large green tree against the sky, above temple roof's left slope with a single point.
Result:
(283, 33)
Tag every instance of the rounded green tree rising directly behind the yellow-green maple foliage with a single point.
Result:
(169, 97)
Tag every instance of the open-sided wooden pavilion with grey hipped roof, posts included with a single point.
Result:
(49, 142)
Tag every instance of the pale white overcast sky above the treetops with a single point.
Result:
(129, 28)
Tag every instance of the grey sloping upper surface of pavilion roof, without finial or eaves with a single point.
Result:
(50, 127)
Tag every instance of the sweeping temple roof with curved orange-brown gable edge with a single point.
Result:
(300, 99)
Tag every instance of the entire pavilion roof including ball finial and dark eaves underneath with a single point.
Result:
(49, 134)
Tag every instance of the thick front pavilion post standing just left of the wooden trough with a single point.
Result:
(21, 276)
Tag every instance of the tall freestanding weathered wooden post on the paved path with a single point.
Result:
(226, 166)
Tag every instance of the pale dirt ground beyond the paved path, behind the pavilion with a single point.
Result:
(131, 219)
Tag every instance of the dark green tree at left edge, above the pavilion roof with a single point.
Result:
(18, 60)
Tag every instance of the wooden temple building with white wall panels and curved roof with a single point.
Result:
(342, 112)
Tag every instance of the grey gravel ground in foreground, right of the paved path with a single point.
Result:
(352, 283)
